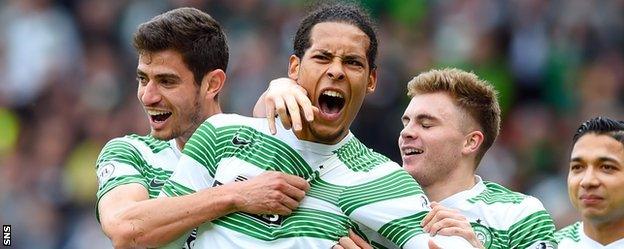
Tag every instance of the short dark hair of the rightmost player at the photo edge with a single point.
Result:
(601, 126)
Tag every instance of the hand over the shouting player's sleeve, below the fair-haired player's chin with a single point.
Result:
(449, 222)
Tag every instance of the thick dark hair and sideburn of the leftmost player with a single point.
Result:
(192, 33)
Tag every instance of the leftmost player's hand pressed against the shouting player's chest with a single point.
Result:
(270, 193)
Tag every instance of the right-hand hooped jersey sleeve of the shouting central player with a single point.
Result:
(393, 205)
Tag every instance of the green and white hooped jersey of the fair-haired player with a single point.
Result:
(504, 219)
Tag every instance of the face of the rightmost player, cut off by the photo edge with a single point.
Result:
(596, 178)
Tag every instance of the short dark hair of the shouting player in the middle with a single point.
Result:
(342, 13)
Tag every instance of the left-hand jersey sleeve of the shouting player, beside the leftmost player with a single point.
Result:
(196, 168)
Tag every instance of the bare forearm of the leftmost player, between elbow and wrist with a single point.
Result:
(156, 222)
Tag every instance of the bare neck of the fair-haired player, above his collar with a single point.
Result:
(461, 179)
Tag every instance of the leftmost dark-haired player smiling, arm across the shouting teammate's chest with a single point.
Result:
(182, 61)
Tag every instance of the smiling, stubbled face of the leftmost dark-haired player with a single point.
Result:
(169, 95)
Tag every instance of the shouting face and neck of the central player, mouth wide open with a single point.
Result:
(335, 72)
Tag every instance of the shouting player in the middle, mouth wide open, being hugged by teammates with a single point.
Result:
(350, 185)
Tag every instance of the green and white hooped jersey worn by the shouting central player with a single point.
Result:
(350, 187)
